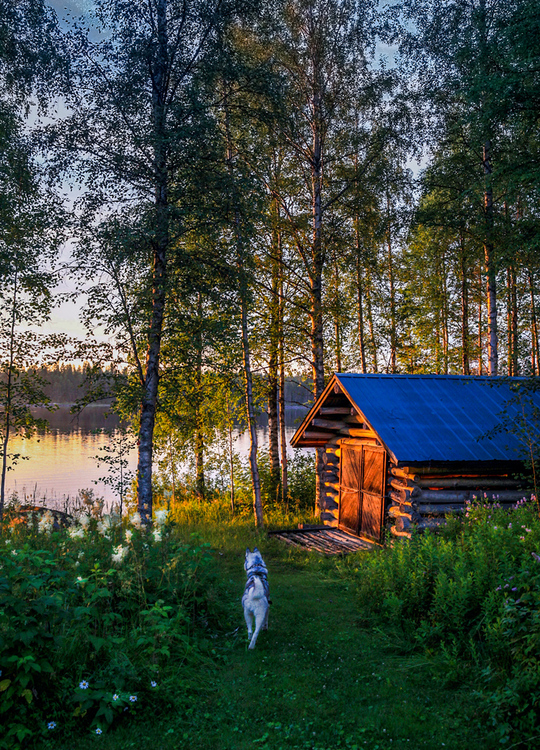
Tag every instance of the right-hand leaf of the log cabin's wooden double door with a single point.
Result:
(372, 493)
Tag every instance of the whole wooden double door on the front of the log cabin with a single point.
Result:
(362, 486)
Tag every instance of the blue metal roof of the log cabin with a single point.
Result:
(424, 418)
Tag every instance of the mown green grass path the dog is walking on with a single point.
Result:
(317, 679)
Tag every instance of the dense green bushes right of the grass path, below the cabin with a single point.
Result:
(470, 597)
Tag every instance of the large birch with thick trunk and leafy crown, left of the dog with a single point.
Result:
(137, 127)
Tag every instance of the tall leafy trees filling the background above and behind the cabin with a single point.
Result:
(265, 195)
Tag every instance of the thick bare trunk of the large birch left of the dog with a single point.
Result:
(159, 270)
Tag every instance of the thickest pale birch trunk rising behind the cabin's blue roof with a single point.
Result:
(489, 259)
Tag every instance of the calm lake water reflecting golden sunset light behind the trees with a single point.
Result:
(56, 465)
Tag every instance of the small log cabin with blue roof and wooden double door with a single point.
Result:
(403, 451)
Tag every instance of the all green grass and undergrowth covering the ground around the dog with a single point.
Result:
(115, 638)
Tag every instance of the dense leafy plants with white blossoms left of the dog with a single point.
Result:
(92, 632)
